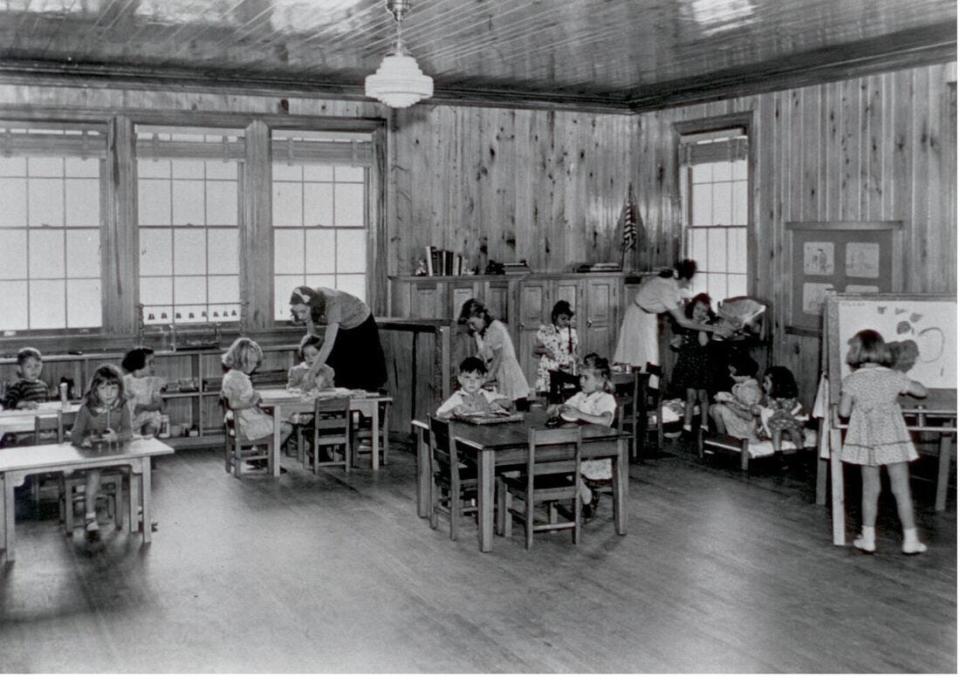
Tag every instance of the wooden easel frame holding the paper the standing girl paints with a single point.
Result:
(935, 413)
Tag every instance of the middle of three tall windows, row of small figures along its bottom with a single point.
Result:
(188, 208)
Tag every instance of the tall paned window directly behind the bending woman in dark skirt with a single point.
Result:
(319, 213)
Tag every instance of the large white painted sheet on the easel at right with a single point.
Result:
(921, 328)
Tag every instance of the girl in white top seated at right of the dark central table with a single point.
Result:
(594, 404)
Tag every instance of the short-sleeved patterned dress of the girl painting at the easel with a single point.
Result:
(877, 433)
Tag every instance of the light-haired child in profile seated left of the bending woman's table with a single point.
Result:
(241, 359)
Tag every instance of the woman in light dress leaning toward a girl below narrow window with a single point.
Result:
(637, 343)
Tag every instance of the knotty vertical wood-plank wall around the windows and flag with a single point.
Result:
(549, 186)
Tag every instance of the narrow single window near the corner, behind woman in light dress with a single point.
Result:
(714, 191)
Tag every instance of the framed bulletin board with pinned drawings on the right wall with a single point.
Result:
(838, 258)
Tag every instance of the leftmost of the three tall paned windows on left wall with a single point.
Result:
(50, 199)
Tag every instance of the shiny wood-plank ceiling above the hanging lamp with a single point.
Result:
(637, 54)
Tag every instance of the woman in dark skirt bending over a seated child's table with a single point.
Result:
(351, 343)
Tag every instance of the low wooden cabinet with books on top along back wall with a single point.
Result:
(522, 302)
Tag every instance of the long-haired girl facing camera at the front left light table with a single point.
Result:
(103, 418)
